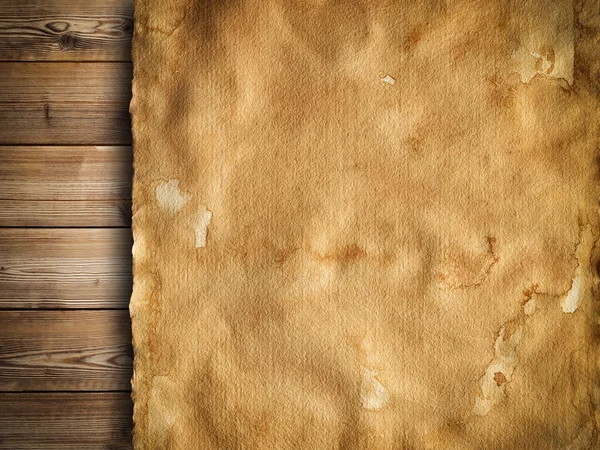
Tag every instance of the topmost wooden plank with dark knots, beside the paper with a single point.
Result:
(66, 30)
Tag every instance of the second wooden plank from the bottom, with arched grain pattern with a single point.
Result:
(65, 351)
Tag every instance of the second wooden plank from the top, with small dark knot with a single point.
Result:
(65, 103)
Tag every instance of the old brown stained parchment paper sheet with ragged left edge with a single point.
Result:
(366, 224)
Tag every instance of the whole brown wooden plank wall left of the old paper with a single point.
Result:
(65, 242)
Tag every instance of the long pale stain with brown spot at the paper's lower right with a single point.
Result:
(499, 371)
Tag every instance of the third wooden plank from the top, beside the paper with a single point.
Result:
(65, 186)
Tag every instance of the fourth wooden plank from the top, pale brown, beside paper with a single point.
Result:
(65, 268)
